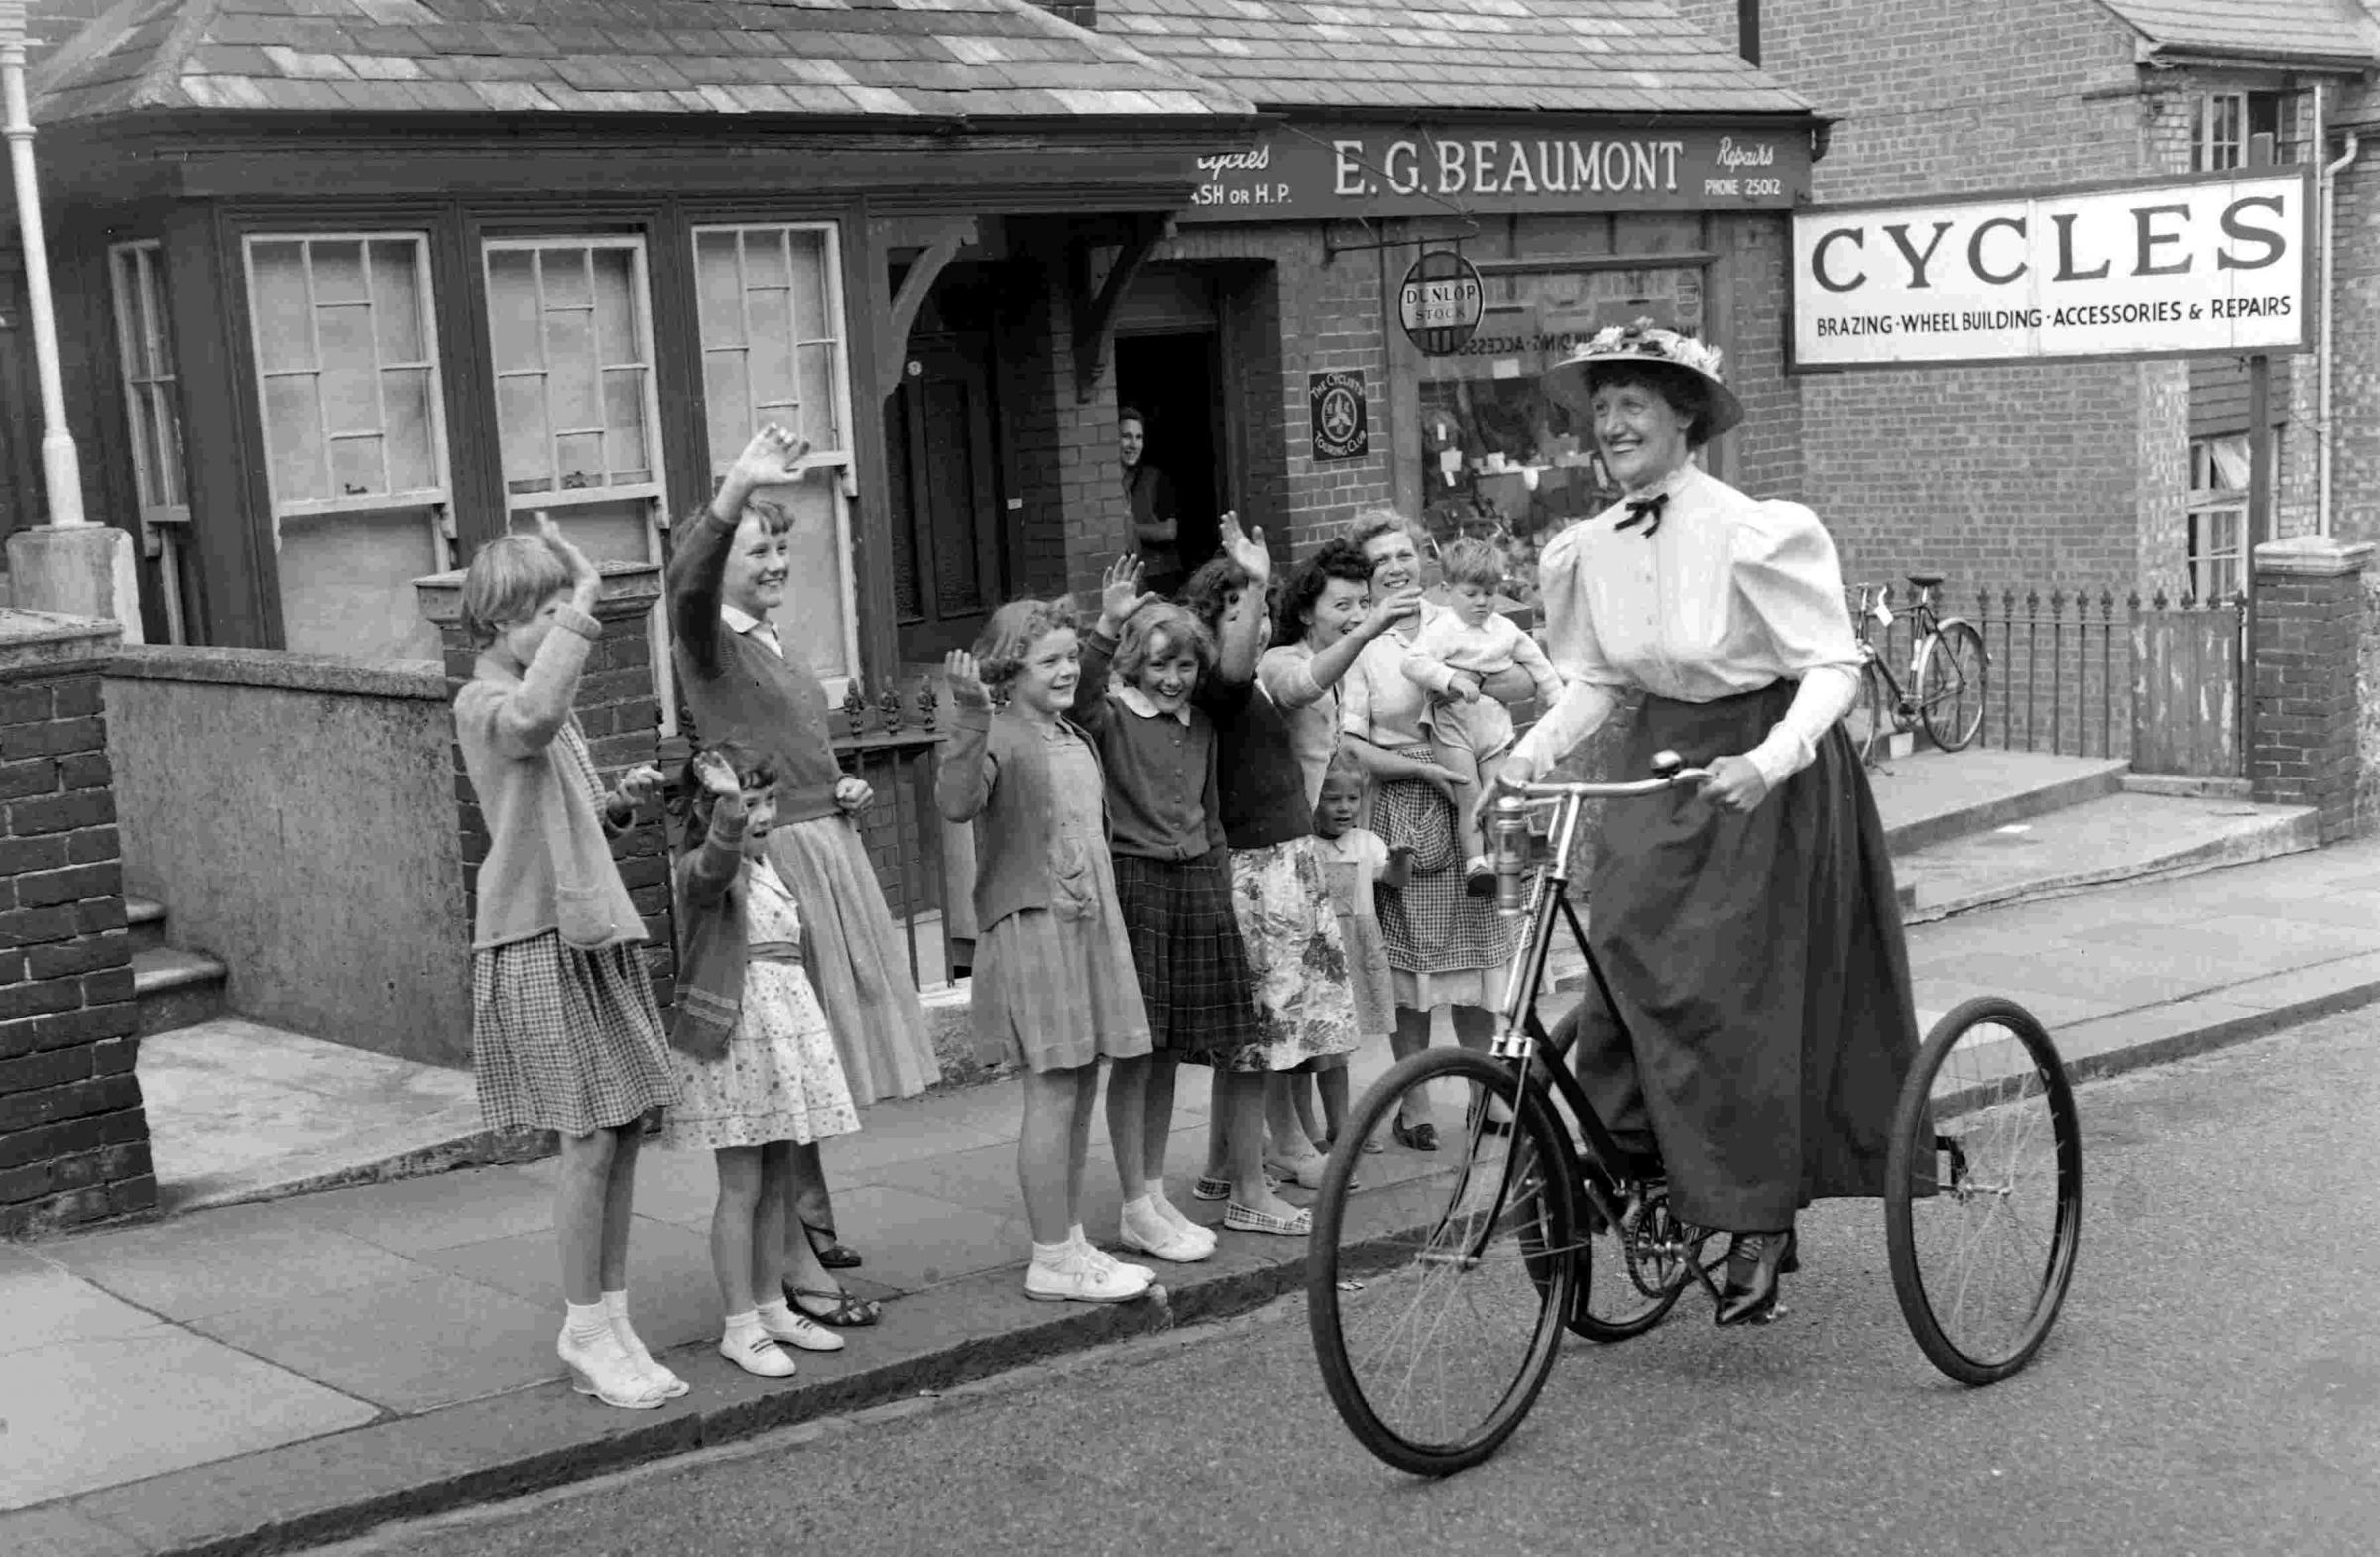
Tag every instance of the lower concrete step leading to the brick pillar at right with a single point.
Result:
(2124, 837)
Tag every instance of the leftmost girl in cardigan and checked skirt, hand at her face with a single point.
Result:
(565, 1034)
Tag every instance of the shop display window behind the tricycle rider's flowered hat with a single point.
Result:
(1498, 456)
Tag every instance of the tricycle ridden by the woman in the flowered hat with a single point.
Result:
(1439, 1303)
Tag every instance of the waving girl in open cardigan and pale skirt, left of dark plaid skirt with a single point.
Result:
(1056, 987)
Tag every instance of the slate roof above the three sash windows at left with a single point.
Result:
(822, 58)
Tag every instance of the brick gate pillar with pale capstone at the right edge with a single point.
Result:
(2310, 620)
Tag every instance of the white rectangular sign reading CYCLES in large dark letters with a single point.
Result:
(2153, 270)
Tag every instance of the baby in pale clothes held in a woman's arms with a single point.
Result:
(1451, 658)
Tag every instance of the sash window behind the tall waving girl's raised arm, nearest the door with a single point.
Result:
(772, 351)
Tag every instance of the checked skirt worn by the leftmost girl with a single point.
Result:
(565, 1039)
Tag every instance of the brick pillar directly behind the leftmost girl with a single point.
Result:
(620, 715)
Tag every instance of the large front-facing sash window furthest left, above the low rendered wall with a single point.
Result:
(353, 437)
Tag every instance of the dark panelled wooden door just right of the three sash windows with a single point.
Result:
(948, 556)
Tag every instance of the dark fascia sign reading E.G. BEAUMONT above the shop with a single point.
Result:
(1327, 173)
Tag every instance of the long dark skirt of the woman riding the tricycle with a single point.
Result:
(1760, 970)
